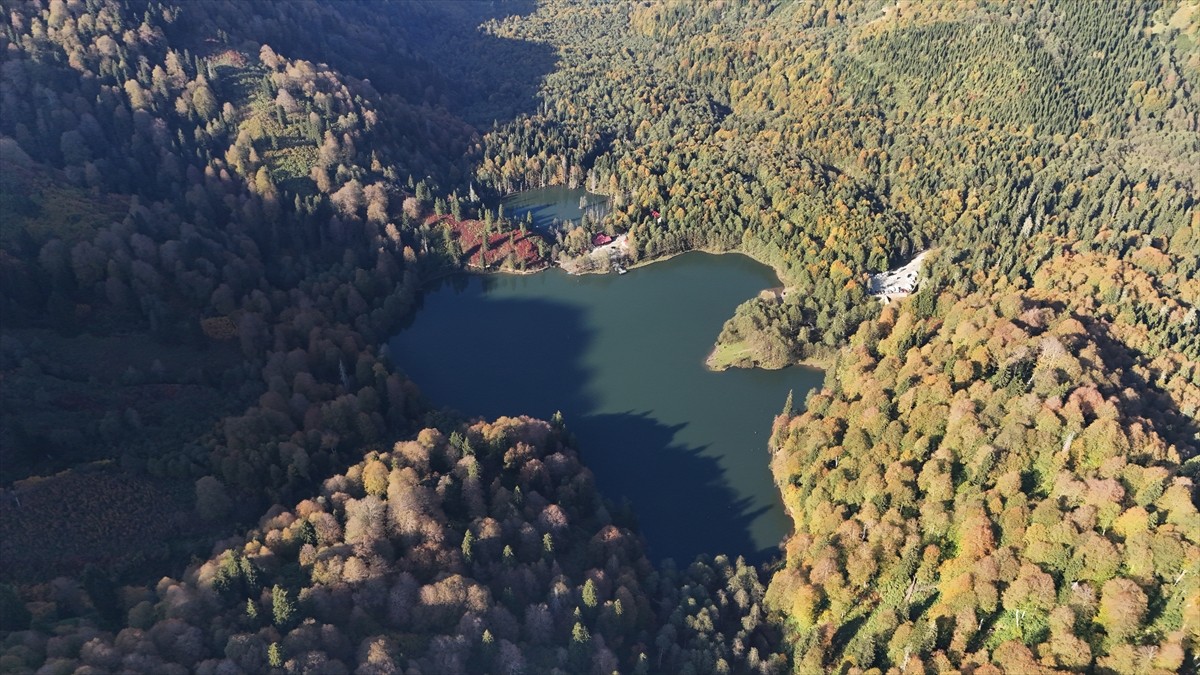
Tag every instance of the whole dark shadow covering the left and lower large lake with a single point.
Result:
(494, 356)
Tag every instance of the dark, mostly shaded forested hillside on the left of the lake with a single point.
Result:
(203, 243)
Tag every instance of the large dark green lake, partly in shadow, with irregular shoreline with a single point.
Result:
(623, 359)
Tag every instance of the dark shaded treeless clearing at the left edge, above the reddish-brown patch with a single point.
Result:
(74, 399)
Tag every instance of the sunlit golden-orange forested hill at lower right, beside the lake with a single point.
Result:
(993, 480)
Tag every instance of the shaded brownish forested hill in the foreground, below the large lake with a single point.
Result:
(488, 551)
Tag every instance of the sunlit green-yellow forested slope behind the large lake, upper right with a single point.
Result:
(833, 140)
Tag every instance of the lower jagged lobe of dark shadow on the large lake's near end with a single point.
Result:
(683, 501)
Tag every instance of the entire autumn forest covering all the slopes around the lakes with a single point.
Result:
(213, 214)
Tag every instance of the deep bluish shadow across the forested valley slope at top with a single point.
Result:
(427, 52)
